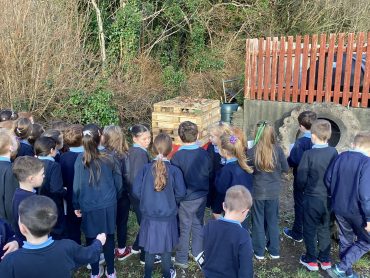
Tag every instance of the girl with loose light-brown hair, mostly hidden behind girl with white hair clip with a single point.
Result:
(115, 144)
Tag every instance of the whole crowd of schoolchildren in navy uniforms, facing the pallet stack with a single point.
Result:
(73, 178)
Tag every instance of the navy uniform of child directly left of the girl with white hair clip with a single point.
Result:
(67, 162)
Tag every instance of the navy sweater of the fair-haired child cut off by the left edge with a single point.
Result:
(8, 185)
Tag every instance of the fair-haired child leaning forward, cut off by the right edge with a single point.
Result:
(348, 179)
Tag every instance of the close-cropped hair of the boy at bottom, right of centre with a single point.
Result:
(238, 198)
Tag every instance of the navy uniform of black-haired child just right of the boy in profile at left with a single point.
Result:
(52, 187)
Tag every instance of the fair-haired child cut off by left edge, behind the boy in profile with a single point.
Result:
(8, 182)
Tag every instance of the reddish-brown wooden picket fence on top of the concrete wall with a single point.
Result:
(334, 68)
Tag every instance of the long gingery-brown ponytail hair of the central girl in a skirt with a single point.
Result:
(162, 146)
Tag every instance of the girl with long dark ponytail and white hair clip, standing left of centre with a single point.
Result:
(96, 187)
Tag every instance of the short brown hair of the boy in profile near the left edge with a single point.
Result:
(25, 166)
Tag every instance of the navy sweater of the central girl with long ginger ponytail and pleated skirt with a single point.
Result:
(162, 204)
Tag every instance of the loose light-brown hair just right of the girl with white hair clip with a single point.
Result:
(115, 140)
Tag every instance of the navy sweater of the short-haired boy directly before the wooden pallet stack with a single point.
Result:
(196, 166)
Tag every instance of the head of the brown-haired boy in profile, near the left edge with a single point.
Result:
(29, 170)
